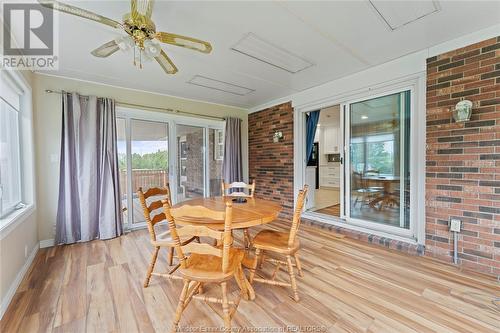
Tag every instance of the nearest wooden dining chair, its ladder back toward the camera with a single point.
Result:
(206, 263)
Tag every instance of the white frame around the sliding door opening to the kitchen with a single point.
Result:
(414, 82)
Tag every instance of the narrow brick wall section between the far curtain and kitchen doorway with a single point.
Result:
(270, 163)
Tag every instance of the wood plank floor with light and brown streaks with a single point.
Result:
(348, 286)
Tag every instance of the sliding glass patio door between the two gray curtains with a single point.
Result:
(155, 150)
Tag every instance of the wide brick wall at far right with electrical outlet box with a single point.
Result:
(463, 159)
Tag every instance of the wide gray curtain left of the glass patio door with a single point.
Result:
(89, 194)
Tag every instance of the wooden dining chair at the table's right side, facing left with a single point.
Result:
(284, 244)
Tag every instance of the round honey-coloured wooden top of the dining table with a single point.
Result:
(251, 213)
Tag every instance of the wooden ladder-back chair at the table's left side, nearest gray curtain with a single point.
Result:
(158, 240)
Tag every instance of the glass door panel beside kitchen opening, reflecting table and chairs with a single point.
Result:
(379, 174)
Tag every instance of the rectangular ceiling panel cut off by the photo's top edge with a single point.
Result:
(400, 13)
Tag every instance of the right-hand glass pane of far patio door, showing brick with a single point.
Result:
(190, 162)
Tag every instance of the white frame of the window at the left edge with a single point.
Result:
(26, 151)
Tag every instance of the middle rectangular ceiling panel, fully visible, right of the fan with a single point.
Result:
(253, 46)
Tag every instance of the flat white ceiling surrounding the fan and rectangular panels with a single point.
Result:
(338, 37)
